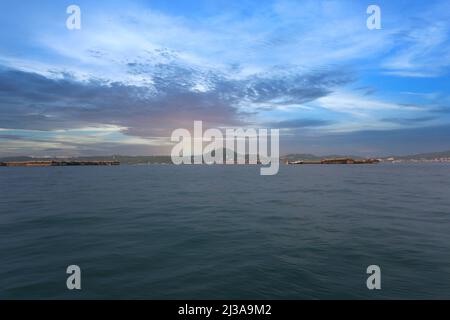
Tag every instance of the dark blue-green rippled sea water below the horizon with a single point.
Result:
(225, 231)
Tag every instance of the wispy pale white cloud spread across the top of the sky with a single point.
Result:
(273, 34)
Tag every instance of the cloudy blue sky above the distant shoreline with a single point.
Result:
(138, 70)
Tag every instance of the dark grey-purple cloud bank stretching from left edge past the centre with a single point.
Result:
(35, 102)
